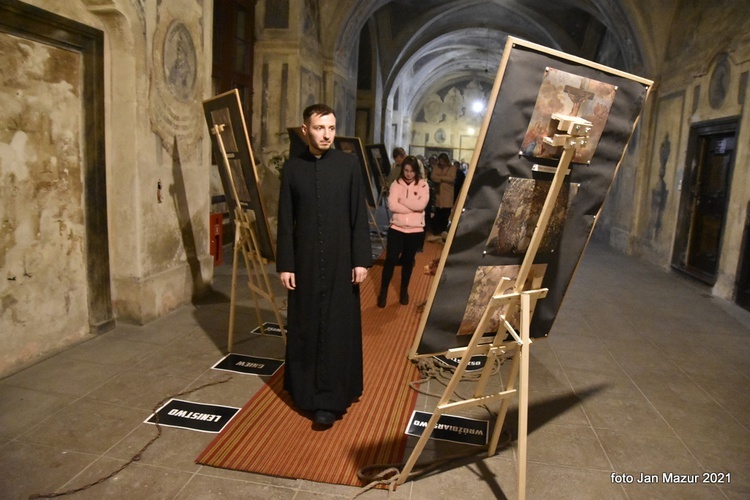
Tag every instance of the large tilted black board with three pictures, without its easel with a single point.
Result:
(508, 180)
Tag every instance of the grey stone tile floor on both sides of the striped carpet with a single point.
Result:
(643, 373)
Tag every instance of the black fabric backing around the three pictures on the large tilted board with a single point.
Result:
(497, 162)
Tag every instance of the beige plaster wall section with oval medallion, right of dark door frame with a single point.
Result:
(170, 148)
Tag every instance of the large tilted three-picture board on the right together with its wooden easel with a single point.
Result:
(520, 229)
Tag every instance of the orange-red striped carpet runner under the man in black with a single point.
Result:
(269, 437)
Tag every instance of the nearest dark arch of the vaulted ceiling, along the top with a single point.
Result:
(565, 24)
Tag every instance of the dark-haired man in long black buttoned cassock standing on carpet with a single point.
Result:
(323, 252)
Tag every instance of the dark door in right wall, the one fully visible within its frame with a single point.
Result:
(705, 193)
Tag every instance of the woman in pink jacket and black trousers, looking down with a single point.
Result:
(407, 199)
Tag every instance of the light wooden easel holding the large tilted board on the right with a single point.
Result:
(572, 132)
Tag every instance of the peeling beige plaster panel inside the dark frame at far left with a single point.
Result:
(43, 289)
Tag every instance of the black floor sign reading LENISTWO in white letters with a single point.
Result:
(194, 416)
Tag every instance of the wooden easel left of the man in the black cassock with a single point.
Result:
(246, 241)
